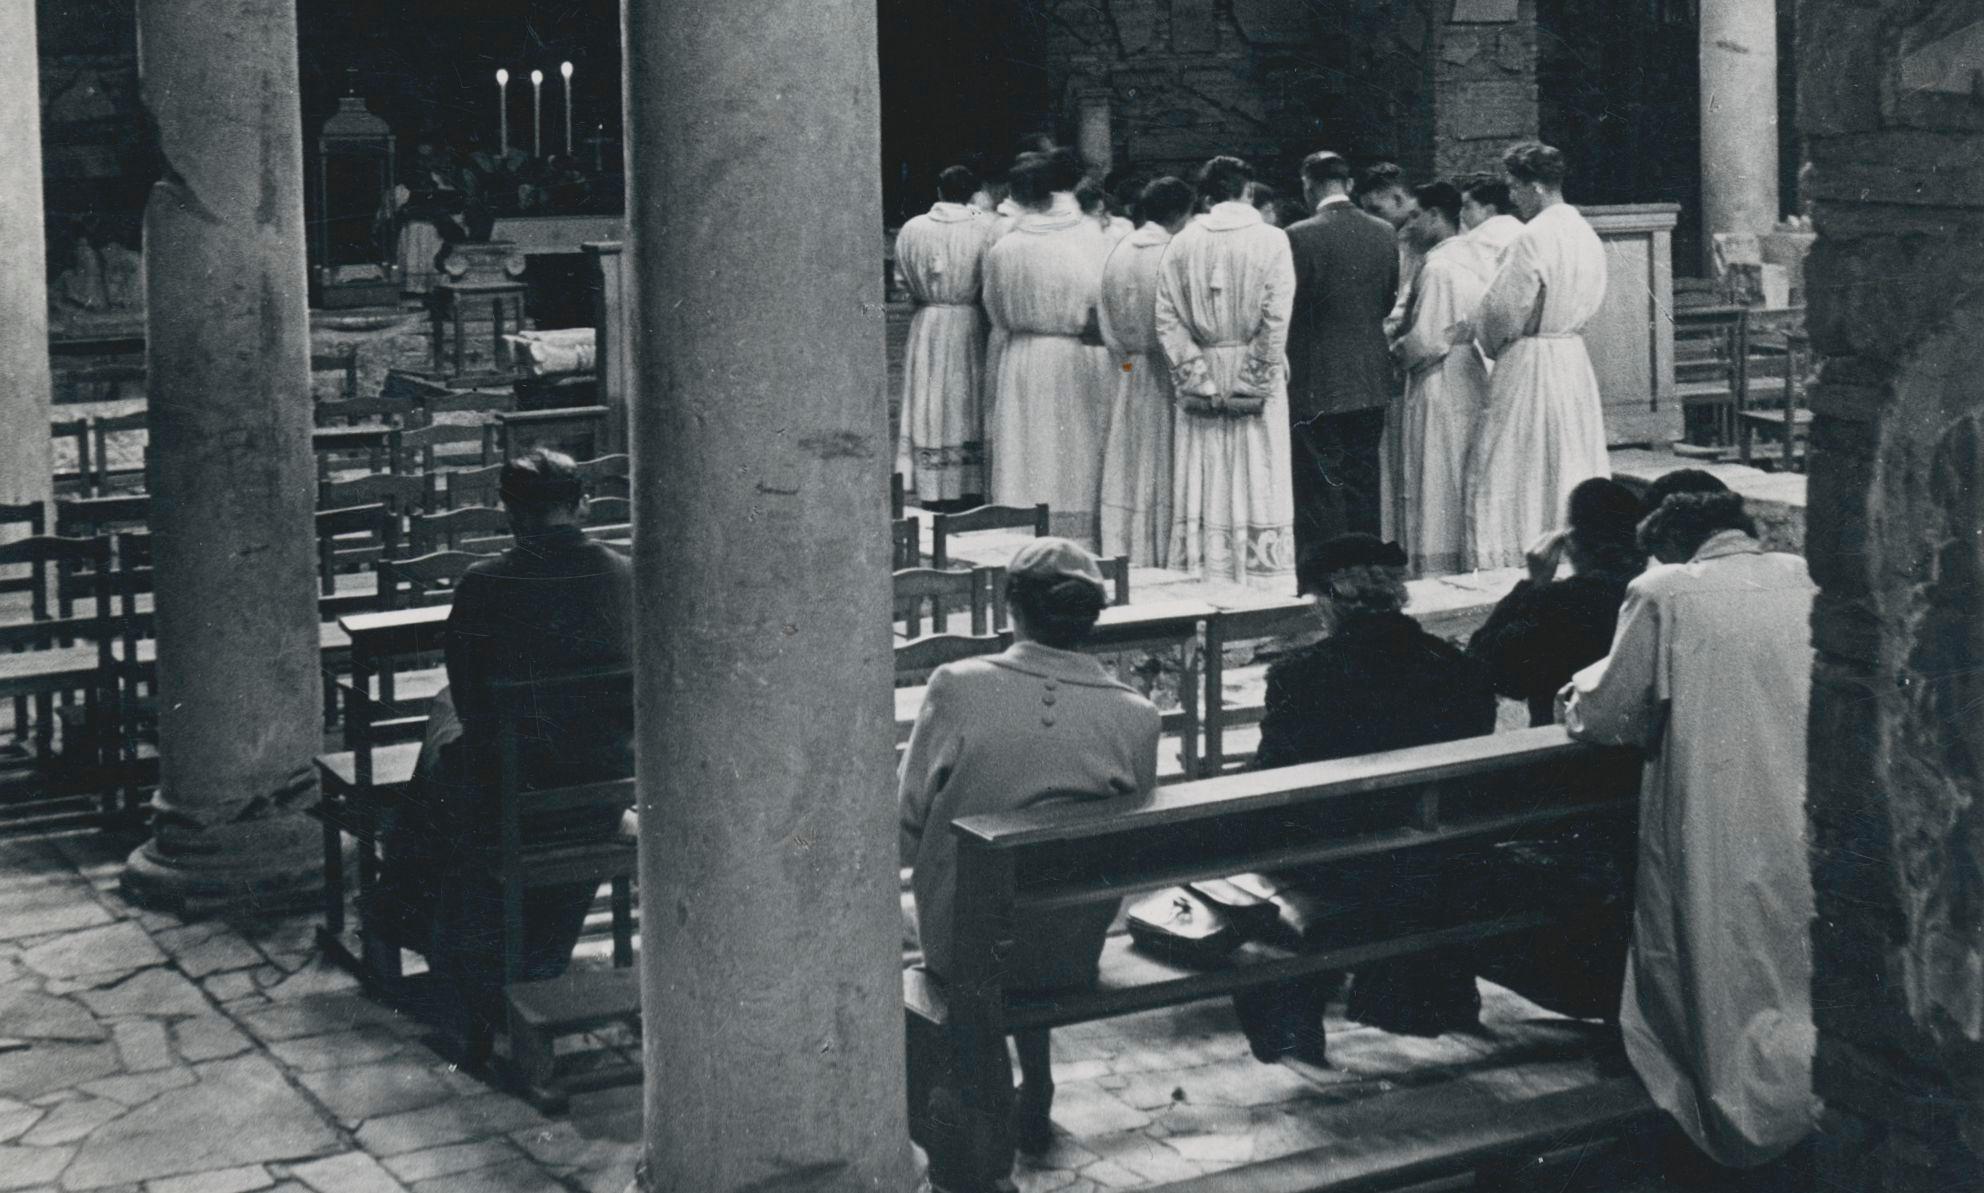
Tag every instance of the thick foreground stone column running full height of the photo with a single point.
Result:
(771, 926)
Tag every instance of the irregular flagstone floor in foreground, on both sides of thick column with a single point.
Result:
(144, 1055)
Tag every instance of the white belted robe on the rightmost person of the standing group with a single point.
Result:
(1545, 430)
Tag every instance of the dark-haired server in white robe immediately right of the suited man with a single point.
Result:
(1445, 388)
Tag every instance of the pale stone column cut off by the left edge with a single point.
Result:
(27, 464)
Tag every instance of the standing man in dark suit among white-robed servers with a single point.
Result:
(1340, 366)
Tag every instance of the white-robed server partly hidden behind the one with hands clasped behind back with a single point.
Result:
(1136, 499)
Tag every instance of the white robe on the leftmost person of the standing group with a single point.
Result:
(941, 444)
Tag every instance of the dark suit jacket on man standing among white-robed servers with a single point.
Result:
(1346, 283)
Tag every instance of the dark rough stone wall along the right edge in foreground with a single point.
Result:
(1896, 287)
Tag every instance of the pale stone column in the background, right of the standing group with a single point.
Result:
(1739, 118)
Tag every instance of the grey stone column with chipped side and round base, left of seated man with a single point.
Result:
(233, 473)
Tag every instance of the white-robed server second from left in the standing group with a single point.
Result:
(1049, 406)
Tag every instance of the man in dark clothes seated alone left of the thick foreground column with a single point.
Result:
(553, 604)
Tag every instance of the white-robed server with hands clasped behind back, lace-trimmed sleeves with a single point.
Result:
(1223, 305)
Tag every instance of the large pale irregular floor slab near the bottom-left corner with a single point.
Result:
(239, 1113)
